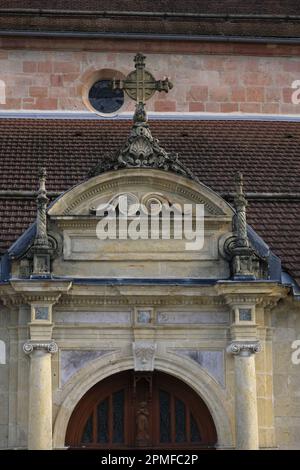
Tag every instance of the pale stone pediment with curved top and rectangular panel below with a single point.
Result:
(155, 253)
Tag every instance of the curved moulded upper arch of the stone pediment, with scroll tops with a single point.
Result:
(142, 184)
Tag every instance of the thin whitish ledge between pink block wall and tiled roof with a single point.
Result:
(188, 116)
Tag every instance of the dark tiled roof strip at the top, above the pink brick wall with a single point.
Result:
(273, 18)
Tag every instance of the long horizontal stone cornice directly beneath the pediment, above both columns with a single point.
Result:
(262, 294)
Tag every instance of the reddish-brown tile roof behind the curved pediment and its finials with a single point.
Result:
(267, 152)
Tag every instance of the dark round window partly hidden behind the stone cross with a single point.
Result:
(104, 99)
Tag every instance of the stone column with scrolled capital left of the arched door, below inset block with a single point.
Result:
(40, 394)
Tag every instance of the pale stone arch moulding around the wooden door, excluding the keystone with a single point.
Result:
(209, 391)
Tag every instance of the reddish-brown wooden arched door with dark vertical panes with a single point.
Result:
(141, 410)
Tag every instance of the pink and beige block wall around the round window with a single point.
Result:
(53, 80)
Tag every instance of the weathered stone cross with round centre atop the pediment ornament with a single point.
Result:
(140, 84)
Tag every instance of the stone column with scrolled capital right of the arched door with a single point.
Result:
(245, 394)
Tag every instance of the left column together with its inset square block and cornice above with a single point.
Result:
(40, 295)
